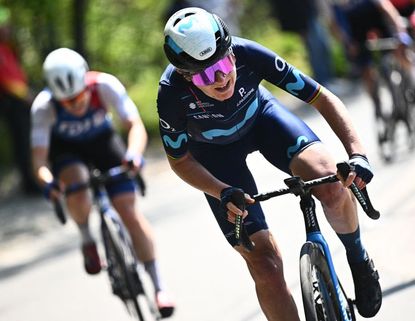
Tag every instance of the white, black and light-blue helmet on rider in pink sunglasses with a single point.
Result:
(195, 39)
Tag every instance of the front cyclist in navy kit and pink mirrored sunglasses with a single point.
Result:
(214, 112)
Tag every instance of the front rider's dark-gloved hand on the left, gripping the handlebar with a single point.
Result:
(230, 199)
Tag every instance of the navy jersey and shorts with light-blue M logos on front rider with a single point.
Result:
(220, 134)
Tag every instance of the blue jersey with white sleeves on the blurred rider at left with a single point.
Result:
(49, 117)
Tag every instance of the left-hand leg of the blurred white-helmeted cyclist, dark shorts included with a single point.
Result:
(68, 166)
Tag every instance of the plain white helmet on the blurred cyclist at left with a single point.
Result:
(64, 70)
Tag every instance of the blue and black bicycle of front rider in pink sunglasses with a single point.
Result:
(324, 298)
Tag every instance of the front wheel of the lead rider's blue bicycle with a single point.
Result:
(318, 292)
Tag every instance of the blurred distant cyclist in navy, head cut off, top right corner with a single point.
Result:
(360, 18)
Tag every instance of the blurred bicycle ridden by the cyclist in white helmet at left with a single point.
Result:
(124, 269)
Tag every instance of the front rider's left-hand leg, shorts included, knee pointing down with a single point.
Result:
(265, 265)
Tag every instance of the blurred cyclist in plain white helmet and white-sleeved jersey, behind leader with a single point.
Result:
(72, 130)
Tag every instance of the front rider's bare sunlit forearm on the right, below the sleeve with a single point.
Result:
(335, 113)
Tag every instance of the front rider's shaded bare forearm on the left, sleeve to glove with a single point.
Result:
(193, 173)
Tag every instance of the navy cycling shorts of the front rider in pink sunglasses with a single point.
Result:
(278, 135)
